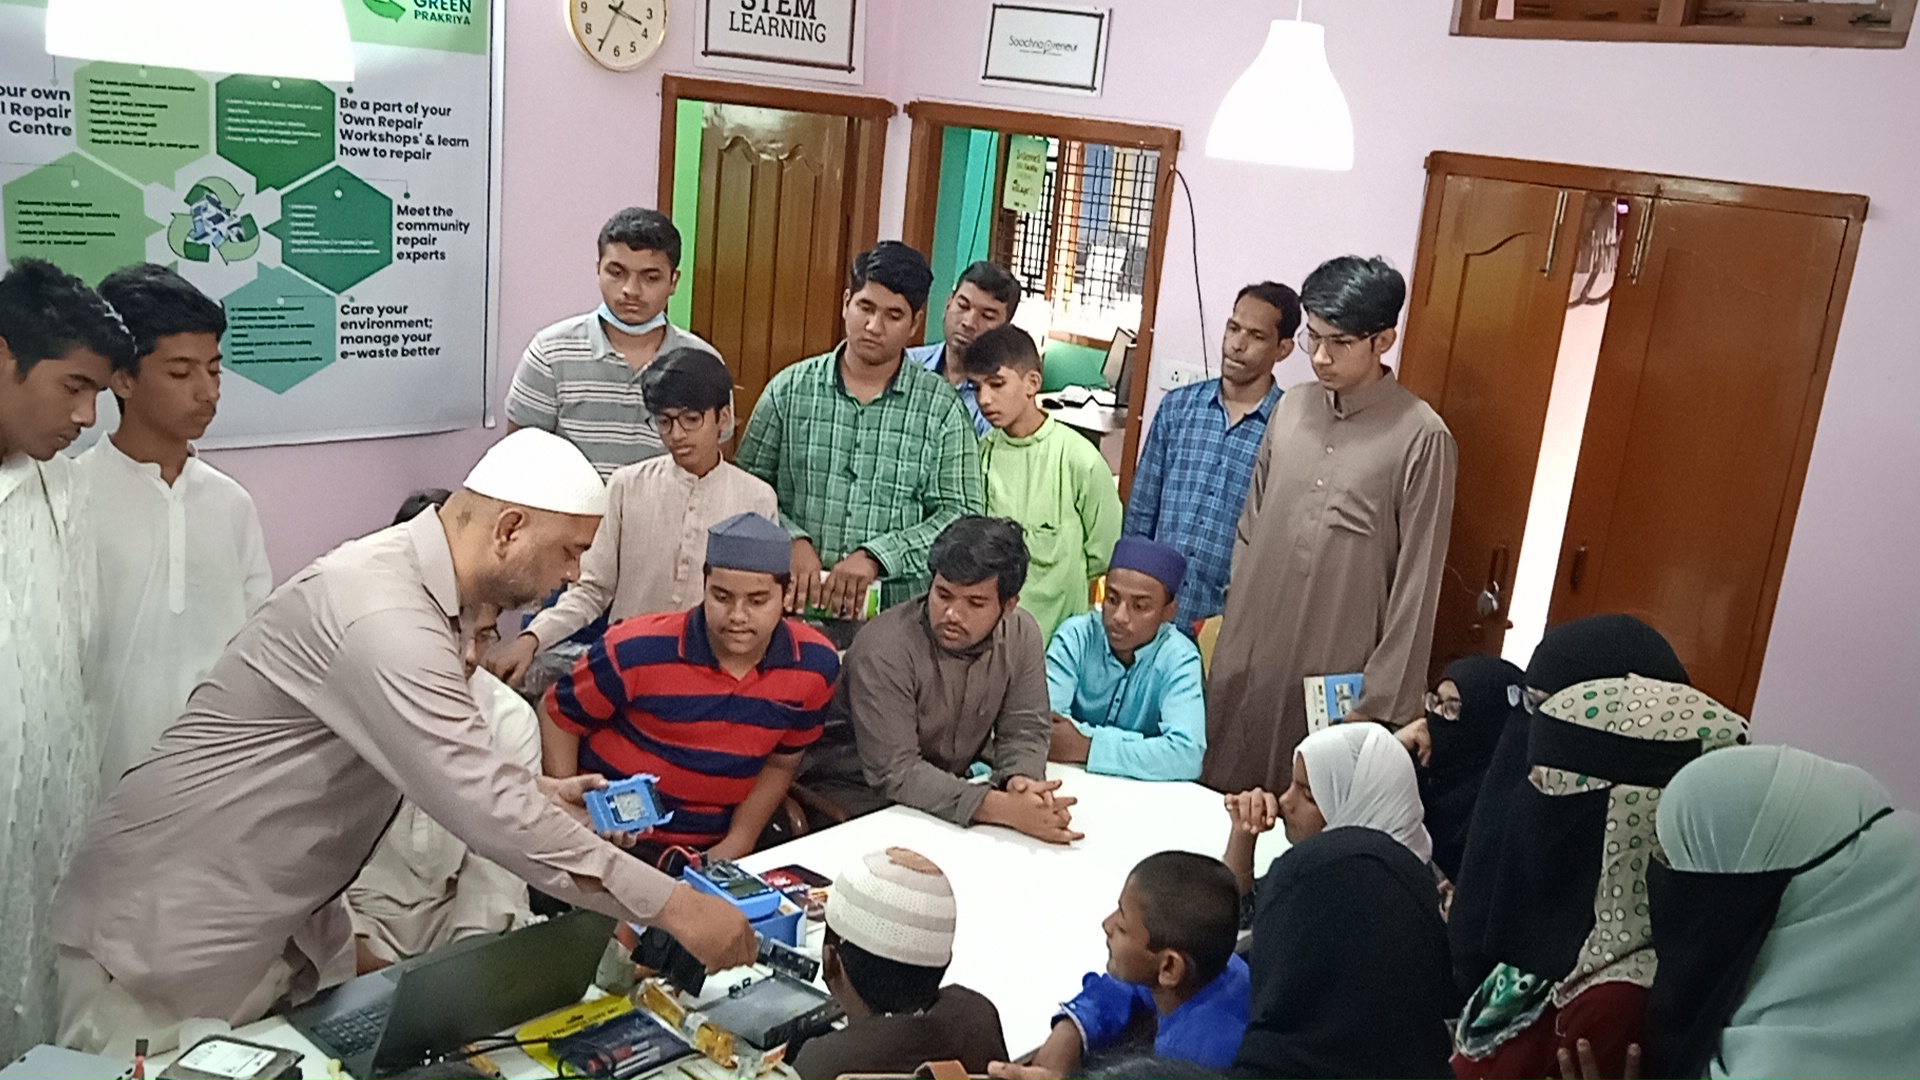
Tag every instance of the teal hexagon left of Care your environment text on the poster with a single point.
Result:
(279, 330)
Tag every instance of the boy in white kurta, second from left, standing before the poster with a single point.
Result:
(181, 554)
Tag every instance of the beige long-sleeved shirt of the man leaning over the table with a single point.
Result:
(231, 843)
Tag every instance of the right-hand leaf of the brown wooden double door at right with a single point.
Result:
(1700, 424)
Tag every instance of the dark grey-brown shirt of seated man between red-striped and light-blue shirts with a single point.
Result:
(923, 714)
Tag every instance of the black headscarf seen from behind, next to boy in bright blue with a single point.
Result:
(1351, 971)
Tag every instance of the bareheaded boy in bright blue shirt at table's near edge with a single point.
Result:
(1170, 973)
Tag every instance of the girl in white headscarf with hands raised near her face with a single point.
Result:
(1345, 775)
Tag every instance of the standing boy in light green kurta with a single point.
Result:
(1044, 476)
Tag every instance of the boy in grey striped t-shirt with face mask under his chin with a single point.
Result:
(581, 378)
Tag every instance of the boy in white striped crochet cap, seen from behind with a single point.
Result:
(890, 941)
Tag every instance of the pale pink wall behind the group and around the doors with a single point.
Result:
(1844, 664)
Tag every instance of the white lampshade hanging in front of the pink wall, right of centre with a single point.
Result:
(1287, 109)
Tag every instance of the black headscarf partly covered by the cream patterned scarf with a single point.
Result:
(1598, 647)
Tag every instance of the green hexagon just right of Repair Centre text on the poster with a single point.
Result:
(145, 122)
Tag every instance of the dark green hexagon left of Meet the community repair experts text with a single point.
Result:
(335, 230)
